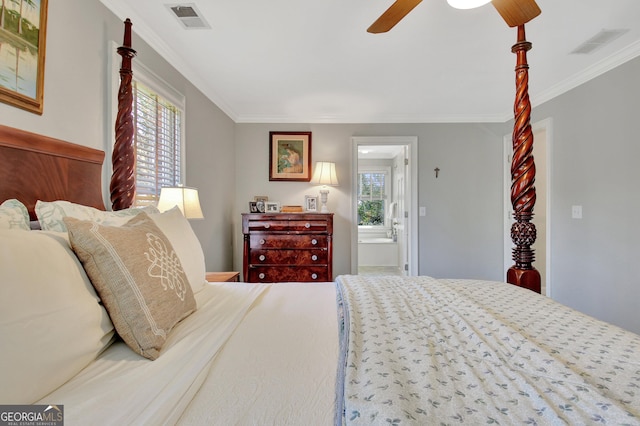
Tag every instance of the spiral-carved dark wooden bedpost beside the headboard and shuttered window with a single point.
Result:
(123, 180)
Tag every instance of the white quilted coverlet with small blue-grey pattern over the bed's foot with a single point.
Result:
(425, 351)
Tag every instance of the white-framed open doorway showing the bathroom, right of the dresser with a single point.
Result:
(384, 238)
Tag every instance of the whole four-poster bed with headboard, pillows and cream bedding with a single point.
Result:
(360, 350)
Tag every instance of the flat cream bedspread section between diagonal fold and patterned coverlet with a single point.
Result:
(279, 367)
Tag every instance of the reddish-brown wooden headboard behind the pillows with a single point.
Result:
(35, 167)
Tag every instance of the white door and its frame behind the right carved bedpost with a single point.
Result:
(542, 139)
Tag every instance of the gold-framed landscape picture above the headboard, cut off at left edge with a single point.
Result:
(22, 53)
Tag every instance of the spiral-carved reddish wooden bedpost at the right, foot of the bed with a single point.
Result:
(523, 174)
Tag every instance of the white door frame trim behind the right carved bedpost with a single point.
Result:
(547, 125)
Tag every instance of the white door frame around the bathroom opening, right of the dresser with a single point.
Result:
(411, 143)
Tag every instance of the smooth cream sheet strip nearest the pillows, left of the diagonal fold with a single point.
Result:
(123, 388)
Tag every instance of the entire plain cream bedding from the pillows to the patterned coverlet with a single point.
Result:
(252, 354)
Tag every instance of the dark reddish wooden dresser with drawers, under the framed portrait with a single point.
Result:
(285, 247)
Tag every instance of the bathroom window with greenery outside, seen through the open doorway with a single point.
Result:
(372, 197)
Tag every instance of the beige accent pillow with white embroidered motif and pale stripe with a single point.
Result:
(138, 276)
